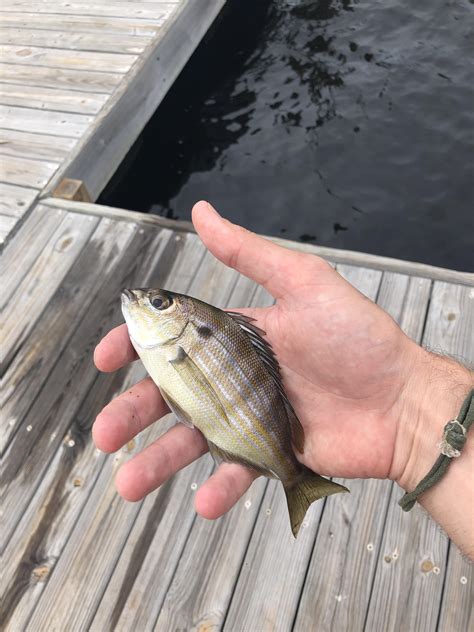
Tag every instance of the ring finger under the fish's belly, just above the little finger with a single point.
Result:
(177, 448)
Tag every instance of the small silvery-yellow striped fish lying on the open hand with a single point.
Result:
(218, 373)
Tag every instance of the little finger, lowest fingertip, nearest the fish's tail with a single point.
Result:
(223, 489)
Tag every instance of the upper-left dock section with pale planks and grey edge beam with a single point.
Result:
(79, 79)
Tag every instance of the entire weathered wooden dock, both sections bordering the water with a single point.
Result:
(79, 80)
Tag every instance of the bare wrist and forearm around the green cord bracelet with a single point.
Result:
(433, 398)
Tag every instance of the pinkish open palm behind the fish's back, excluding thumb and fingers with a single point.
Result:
(341, 360)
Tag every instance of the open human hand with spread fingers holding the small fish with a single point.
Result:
(348, 369)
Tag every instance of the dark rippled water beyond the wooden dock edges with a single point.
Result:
(347, 124)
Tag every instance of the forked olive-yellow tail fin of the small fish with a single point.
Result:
(300, 496)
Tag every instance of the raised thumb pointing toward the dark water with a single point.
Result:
(255, 257)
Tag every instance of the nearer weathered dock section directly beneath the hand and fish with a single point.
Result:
(77, 557)
